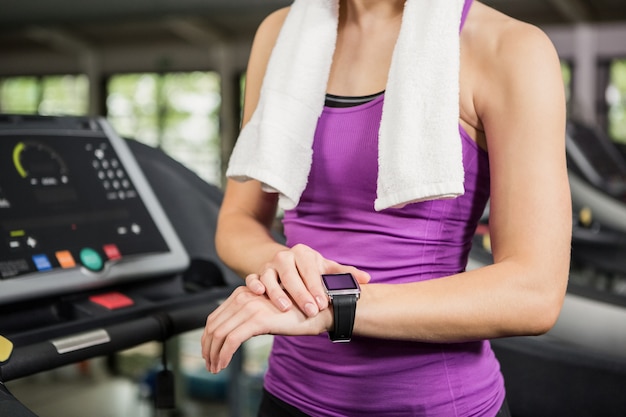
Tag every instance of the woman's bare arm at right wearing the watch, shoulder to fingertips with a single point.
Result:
(520, 105)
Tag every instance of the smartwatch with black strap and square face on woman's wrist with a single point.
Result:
(343, 292)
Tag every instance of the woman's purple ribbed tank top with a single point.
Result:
(421, 241)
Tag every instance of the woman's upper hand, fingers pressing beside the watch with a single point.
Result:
(295, 274)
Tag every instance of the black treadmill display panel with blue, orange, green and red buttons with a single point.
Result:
(71, 210)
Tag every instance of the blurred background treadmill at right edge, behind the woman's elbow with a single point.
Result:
(594, 312)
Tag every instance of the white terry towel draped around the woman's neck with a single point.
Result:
(420, 154)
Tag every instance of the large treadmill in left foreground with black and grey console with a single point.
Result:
(106, 244)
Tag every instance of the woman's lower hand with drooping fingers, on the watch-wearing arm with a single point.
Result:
(245, 314)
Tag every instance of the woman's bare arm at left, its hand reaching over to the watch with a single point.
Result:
(243, 237)
